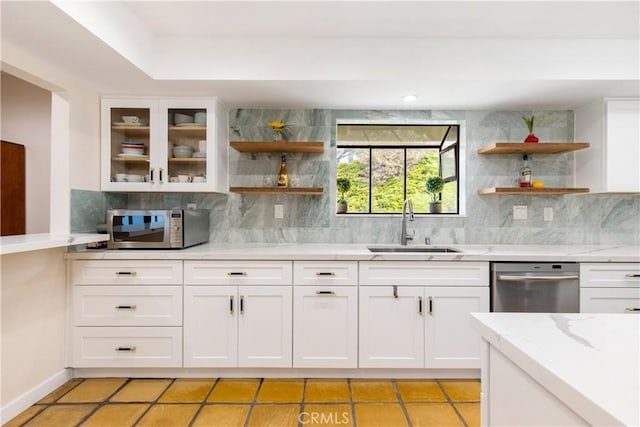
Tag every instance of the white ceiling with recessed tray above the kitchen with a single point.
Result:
(510, 55)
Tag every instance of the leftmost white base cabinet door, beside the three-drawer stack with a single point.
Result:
(210, 326)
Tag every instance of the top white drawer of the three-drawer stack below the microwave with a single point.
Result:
(108, 272)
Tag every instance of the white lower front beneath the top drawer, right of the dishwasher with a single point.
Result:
(610, 300)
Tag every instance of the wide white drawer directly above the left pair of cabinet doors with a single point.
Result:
(238, 273)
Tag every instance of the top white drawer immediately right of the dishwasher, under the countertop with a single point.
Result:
(606, 275)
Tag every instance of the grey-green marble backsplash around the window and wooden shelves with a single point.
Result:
(236, 218)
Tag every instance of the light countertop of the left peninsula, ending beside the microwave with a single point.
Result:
(38, 241)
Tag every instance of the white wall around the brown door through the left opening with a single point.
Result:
(26, 120)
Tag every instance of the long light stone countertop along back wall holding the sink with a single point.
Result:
(359, 252)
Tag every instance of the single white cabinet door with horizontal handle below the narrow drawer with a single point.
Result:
(325, 327)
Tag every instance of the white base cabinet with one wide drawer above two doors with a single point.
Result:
(235, 316)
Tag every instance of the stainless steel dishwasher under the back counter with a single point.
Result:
(535, 287)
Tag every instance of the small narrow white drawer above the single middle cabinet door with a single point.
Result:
(334, 273)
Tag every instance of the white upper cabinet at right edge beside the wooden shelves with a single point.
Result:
(612, 126)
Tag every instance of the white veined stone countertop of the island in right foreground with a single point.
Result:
(591, 362)
